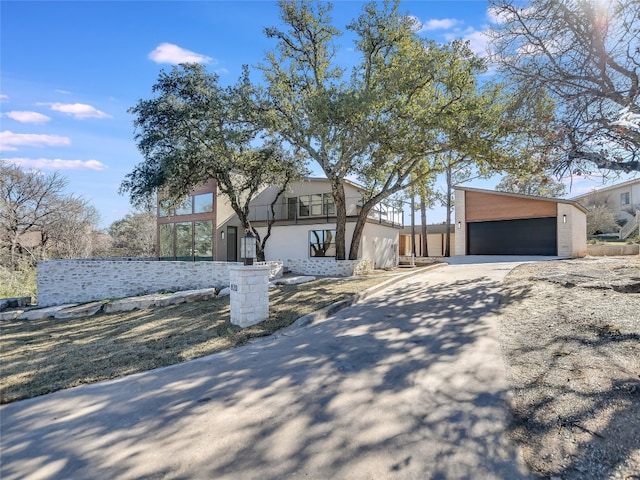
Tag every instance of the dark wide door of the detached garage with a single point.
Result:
(533, 236)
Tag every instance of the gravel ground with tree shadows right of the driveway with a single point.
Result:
(570, 331)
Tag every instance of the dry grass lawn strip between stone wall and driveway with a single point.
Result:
(42, 356)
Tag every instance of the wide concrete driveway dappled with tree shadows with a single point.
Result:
(407, 384)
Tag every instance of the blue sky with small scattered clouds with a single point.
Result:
(70, 70)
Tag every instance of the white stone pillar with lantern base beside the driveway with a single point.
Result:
(249, 300)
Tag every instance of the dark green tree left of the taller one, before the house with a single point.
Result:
(194, 130)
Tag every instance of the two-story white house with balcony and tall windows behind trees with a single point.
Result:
(207, 228)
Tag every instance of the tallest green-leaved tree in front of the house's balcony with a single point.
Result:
(386, 120)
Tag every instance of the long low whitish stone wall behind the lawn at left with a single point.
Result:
(86, 280)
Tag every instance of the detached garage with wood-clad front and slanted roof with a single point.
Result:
(499, 223)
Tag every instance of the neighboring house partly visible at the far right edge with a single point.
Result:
(622, 199)
